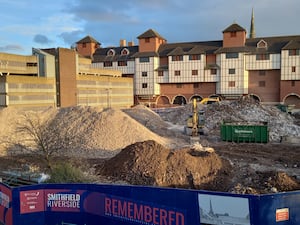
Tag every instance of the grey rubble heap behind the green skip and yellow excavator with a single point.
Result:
(280, 124)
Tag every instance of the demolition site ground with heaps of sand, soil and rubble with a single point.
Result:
(141, 147)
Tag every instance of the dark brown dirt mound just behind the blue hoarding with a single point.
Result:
(149, 163)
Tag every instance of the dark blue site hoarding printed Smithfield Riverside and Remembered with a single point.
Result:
(92, 204)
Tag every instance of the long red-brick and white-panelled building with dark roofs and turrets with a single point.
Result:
(265, 68)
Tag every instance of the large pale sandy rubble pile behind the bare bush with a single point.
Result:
(94, 132)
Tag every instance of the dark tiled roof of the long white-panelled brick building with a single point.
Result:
(274, 45)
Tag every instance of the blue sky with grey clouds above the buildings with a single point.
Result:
(61, 23)
